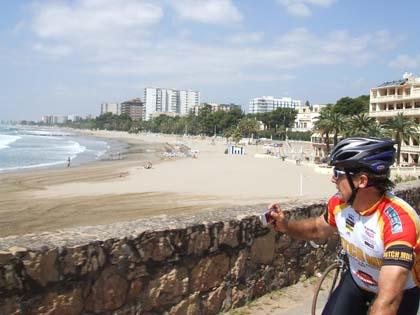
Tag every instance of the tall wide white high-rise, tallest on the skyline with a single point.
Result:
(169, 101)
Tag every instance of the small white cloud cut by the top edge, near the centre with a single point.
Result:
(207, 11)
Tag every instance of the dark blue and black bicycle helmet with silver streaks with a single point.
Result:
(374, 154)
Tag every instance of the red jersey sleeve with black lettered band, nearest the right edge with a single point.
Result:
(400, 234)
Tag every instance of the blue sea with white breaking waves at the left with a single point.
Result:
(30, 148)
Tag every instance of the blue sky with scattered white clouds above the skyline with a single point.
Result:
(67, 57)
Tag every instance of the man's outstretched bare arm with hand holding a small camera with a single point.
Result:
(307, 229)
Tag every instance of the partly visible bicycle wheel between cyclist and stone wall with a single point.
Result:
(329, 280)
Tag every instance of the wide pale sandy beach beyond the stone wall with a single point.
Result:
(109, 191)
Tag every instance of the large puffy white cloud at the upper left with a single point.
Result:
(94, 22)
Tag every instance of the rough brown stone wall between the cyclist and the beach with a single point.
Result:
(199, 264)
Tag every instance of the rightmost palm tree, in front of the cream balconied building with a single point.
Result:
(401, 128)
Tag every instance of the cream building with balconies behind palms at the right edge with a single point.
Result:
(401, 96)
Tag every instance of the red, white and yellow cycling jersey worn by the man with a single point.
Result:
(386, 234)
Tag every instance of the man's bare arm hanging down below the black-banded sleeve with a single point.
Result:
(392, 280)
